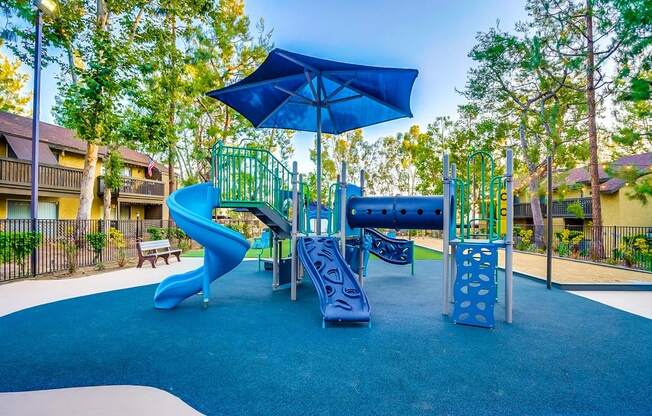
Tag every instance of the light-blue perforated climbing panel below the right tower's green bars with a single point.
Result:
(475, 285)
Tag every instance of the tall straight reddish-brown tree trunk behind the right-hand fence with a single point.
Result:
(597, 250)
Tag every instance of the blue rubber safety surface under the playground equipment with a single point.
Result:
(254, 352)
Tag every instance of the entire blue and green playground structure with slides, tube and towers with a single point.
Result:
(474, 214)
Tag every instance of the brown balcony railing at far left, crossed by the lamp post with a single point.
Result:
(18, 173)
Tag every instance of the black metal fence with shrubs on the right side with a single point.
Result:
(621, 245)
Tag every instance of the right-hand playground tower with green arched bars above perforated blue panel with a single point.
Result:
(484, 203)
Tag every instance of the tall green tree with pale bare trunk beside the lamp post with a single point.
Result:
(87, 39)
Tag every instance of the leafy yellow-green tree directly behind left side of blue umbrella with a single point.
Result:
(198, 47)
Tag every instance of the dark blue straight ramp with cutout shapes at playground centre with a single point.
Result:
(341, 298)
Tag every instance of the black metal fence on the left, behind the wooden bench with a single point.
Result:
(60, 245)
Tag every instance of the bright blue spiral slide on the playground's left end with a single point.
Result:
(192, 209)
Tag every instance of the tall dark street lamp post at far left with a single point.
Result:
(47, 7)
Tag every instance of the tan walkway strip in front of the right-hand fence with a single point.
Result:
(563, 271)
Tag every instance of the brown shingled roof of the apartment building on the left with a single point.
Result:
(62, 138)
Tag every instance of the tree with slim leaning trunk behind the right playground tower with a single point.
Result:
(514, 79)
